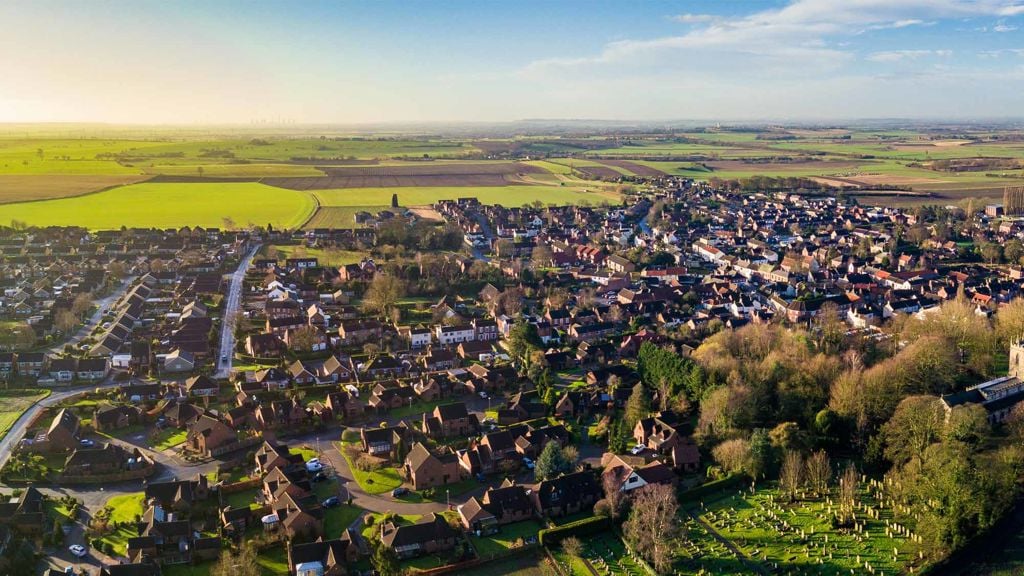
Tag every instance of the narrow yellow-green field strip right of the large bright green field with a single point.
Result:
(506, 195)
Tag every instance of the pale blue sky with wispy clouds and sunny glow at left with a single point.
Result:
(306, 62)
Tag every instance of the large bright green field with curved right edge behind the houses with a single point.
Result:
(170, 205)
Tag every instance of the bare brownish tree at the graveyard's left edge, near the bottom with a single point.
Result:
(653, 525)
